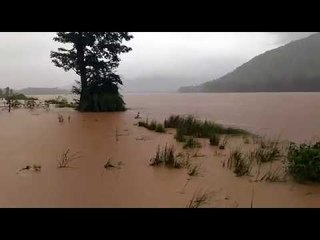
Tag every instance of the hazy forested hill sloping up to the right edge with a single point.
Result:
(294, 67)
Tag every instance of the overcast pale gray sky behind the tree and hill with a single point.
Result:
(159, 61)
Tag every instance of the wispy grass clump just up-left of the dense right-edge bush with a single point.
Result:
(268, 151)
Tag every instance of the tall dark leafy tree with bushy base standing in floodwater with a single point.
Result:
(94, 56)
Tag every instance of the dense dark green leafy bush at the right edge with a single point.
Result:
(304, 161)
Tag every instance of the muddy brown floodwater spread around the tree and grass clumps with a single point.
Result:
(36, 137)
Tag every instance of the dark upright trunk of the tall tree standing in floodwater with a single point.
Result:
(80, 46)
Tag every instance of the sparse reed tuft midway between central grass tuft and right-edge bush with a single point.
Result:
(240, 163)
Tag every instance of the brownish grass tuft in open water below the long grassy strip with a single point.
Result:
(167, 157)
